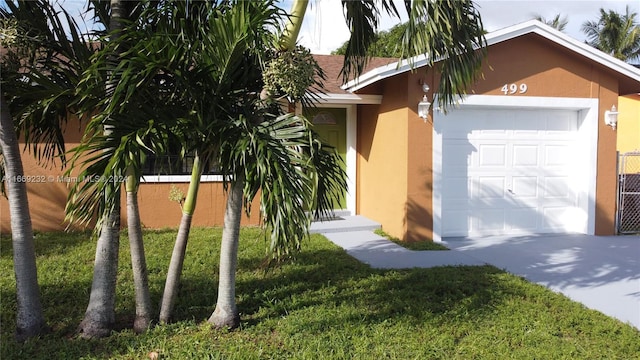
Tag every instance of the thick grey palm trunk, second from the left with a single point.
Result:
(100, 315)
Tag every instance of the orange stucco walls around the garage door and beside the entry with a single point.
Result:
(547, 69)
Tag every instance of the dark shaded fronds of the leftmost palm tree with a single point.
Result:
(41, 72)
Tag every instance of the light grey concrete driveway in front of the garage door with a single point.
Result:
(602, 272)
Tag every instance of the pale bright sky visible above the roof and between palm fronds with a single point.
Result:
(324, 28)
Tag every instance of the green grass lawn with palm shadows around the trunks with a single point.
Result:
(322, 305)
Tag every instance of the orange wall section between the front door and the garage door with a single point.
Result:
(394, 163)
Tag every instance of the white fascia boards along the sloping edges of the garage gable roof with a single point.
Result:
(495, 37)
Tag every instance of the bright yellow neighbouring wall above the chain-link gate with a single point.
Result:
(629, 123)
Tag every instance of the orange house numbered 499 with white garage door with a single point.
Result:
(526, 151)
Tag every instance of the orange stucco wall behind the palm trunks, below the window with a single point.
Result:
(47, 193)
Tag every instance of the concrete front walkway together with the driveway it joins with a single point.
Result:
(601, 272)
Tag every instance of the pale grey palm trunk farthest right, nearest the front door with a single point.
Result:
(226, 313)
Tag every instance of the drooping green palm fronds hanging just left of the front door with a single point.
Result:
(283, 161)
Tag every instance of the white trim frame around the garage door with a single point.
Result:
(587, 133)
